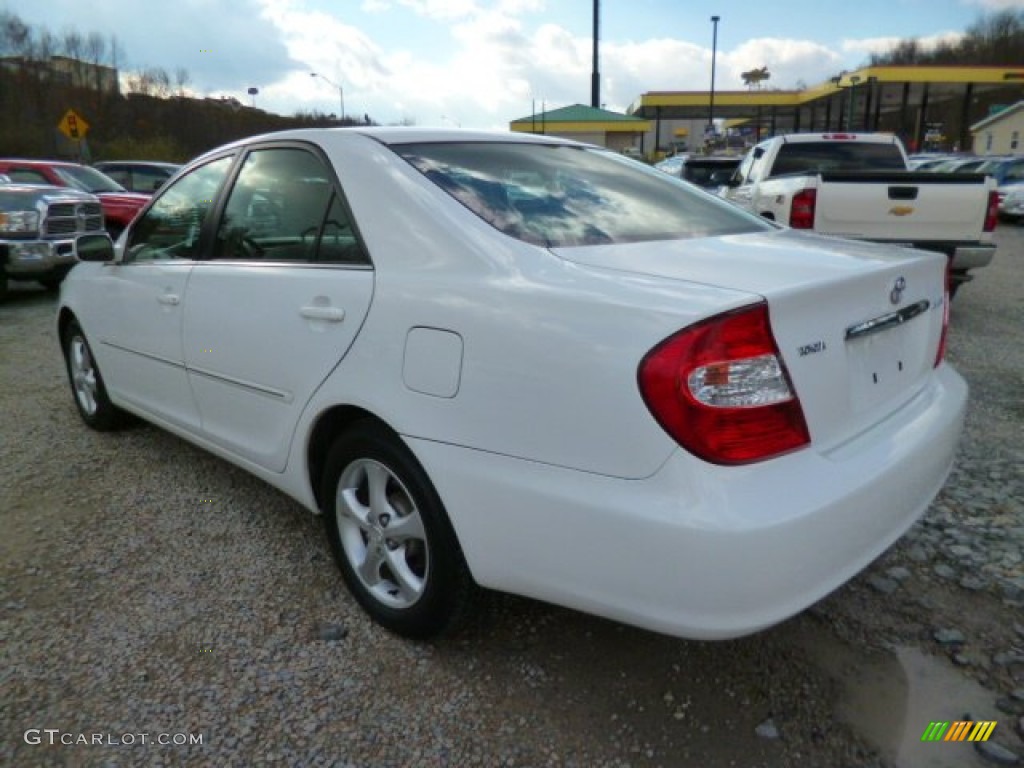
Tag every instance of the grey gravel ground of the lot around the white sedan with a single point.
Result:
(149, 588)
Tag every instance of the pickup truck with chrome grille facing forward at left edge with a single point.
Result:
(38, 229)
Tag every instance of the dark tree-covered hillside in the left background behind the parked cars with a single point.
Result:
(149, 115)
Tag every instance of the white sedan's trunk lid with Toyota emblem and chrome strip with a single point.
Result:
(858, 325)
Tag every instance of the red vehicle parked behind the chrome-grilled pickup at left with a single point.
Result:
(120, 206)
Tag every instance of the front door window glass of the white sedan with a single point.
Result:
(170, 230)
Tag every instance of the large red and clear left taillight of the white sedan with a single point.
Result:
(720, 390)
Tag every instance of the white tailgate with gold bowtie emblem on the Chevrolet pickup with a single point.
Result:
(897, 206)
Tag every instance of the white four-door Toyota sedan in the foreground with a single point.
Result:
(528, 365)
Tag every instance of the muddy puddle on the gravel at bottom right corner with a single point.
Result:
(890, 699)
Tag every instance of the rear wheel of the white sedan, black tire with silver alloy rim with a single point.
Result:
(392, 537)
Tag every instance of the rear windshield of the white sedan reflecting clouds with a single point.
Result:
(559, 196)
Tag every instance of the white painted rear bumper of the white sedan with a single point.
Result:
(697, 550)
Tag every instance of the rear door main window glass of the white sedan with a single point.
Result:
(277, 208)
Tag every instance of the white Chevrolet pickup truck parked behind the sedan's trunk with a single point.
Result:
(859, 187)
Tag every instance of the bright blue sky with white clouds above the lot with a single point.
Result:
(482, 64)
